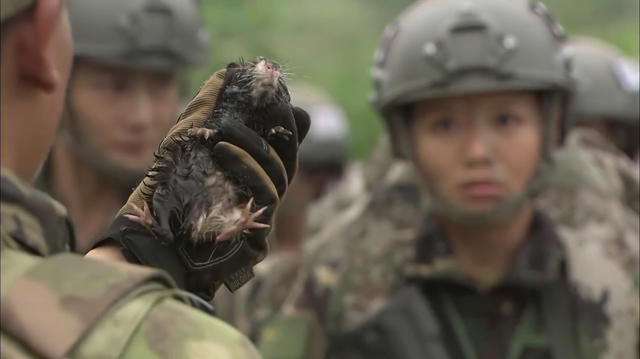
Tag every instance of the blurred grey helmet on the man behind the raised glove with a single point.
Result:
(149, 34)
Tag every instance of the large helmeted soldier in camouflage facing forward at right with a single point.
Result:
(473, 93)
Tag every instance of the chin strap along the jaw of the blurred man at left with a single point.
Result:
(118, 174)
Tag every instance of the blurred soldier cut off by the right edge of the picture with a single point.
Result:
(605, 113)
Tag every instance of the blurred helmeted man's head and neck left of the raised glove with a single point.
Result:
(123, 96)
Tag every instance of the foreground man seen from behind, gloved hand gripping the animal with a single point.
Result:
(57, 304)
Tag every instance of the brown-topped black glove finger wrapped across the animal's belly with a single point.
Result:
(241, 166)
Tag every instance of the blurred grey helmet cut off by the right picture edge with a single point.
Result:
(606, 83)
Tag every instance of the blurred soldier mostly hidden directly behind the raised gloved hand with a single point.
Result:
(322, 161)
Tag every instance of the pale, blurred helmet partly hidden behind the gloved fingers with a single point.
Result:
(326, 146)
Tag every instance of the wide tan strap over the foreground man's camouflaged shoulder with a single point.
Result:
(51, 307)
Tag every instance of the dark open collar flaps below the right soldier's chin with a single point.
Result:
(539, 260)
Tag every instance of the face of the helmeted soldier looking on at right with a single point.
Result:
(476, 150)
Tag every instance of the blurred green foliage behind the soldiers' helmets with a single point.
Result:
(330, 43)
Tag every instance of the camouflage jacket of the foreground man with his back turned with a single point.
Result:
(56, 304)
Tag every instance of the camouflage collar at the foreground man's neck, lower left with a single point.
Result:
(31, 218)
